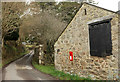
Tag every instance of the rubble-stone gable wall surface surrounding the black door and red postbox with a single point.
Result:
(76, 38)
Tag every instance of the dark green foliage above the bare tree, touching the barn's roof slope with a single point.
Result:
(66, 9)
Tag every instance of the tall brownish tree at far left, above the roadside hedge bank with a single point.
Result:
(11, 20)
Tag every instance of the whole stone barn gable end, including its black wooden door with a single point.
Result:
(92, 37)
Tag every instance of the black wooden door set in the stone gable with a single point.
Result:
(100, 38)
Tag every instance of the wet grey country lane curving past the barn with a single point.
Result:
(23, 70)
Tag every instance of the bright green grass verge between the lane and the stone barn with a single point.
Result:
(58, 74)
